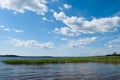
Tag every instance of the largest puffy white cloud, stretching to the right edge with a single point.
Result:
(80, 25)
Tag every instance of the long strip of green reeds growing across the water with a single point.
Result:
(103, 59)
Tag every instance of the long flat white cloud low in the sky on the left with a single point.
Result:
(32, 43)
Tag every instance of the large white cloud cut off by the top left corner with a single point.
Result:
(37, 6)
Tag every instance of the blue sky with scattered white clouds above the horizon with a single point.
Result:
(59, 27)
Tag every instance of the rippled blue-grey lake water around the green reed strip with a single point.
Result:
(68, 71)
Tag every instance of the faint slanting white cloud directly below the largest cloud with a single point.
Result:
(81, 42)
